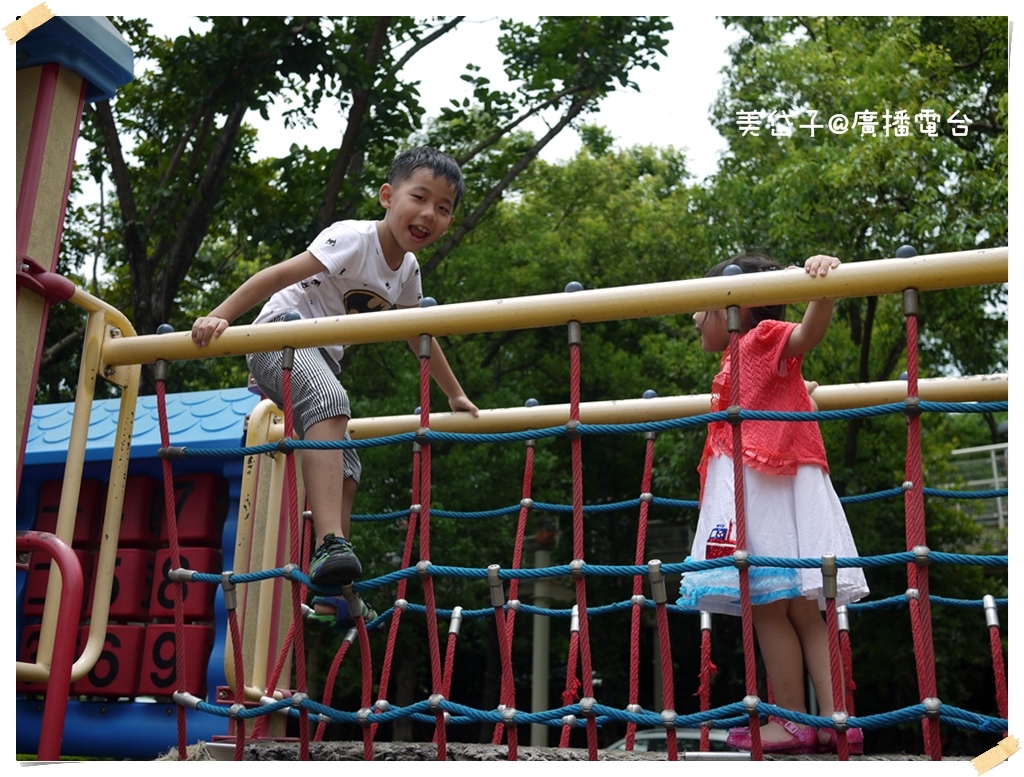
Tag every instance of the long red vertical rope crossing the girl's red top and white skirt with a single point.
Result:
(750, 661)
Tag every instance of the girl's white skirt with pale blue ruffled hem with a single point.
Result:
(787, 517)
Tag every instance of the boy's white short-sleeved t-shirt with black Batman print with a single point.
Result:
(357, 280)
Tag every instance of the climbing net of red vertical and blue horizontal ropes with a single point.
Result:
(581, 709)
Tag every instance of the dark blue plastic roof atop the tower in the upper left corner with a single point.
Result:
(91, 47)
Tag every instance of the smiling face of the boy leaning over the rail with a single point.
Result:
(419, 209)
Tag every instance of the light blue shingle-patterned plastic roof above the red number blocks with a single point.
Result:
(197, 419)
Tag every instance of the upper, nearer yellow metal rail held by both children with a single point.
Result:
(672, 298)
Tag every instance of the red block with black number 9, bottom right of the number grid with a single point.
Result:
(159, 674)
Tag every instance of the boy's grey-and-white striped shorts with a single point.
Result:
(317, 394)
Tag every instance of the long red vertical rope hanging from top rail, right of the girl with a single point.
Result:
(921, 613)
